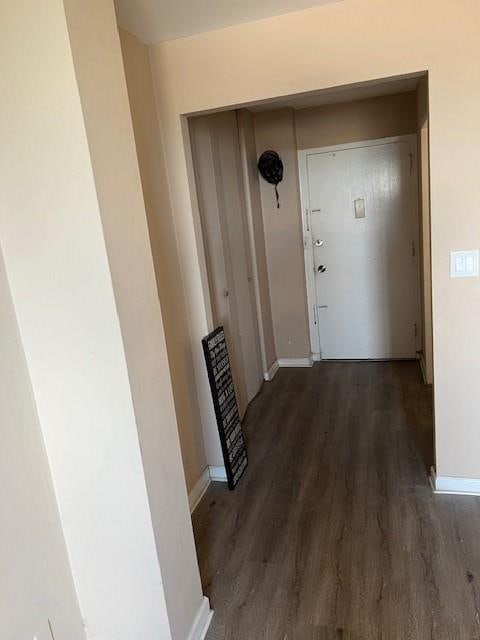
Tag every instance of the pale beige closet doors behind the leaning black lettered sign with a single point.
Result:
(221, 196)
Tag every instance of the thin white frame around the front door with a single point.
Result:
(306, 227)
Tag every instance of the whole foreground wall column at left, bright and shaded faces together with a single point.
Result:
(77, 255)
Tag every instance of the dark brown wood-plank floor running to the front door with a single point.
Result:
(333, 532)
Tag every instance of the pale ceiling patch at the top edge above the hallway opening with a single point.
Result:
(156, 20)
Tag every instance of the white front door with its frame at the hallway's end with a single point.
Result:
(361, 246)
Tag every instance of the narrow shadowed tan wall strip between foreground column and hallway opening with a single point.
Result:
(162, 237)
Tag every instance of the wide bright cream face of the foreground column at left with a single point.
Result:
(54, 249)
